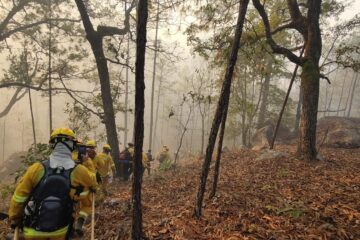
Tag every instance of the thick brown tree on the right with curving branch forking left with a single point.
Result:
(310, 77)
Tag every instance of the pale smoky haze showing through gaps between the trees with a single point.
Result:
(16, 130)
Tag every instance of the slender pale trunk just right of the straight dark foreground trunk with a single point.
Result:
(154, 76)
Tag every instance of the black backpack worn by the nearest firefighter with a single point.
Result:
(50, 206)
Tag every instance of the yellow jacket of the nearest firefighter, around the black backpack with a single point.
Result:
(79, 177)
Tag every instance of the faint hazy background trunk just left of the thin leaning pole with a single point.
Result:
(266, 87)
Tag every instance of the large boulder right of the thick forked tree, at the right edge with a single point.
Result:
(339, 132)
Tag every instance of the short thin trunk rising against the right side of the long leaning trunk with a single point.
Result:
(218, 156)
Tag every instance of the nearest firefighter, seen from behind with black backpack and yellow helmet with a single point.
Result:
(44, 200)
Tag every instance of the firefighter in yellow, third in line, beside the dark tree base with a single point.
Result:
(105, 165)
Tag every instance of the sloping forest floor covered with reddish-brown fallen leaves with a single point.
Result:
(281, 198)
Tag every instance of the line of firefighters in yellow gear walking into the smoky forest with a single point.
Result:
(54, 198)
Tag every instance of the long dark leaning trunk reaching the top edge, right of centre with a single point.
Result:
(223, 101)
